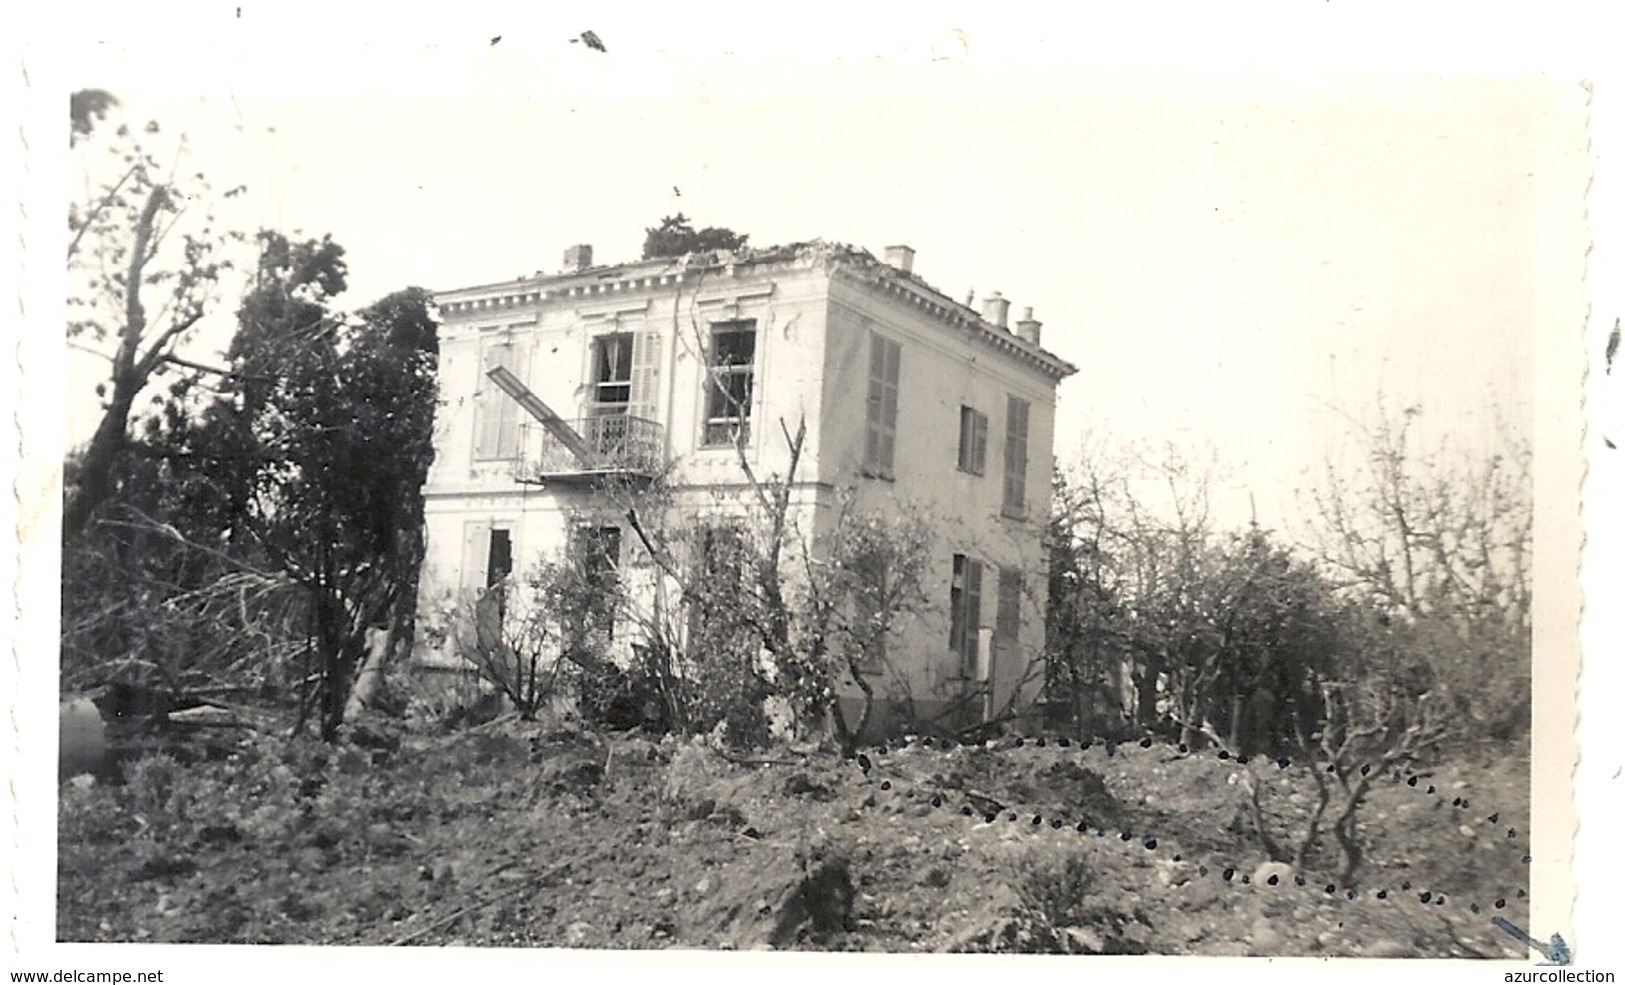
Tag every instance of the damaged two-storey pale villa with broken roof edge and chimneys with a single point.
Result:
(841, 376)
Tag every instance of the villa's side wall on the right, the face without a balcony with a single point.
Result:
(945, 368)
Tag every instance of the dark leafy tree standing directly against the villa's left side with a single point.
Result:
(319, 451)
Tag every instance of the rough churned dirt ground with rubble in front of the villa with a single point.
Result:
(531, 835)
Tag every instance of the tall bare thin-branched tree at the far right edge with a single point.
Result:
(1441, 542)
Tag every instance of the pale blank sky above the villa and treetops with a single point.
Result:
(1229, 259)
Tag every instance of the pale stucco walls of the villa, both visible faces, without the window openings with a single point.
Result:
(812, 365)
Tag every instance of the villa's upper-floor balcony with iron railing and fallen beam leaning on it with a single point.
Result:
(618, 446)
